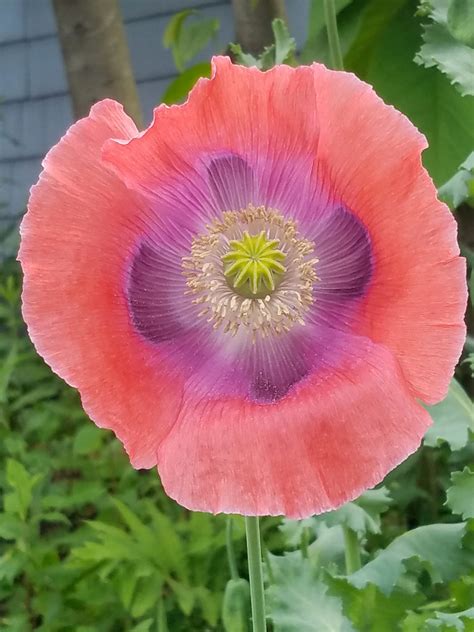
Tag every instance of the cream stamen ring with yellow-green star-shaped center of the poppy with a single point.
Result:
(274, 299)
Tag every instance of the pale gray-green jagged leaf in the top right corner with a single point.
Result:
(441, 49)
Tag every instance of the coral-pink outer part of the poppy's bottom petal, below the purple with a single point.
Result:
(319, 447)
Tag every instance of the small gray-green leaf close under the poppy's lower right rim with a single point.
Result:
(361, 515)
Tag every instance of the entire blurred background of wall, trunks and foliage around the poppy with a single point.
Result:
(88, 544)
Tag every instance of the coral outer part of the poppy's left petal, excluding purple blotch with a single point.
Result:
(79, 232)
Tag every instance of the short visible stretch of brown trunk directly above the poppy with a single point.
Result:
(253, 22)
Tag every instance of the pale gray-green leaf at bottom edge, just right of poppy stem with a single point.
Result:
(299, 602)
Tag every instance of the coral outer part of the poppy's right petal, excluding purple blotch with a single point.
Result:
(371, 155)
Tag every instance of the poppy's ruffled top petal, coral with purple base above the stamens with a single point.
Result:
(236, 120)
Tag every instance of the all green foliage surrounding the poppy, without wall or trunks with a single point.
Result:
(88, 544)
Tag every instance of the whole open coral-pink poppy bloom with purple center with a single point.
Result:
(256, 293)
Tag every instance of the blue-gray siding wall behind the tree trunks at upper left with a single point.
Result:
(34, 103)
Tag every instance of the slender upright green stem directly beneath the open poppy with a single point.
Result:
(254, 553)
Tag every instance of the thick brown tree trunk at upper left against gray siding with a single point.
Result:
(96, 55)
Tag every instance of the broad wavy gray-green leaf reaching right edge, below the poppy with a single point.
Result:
(437, 546)
